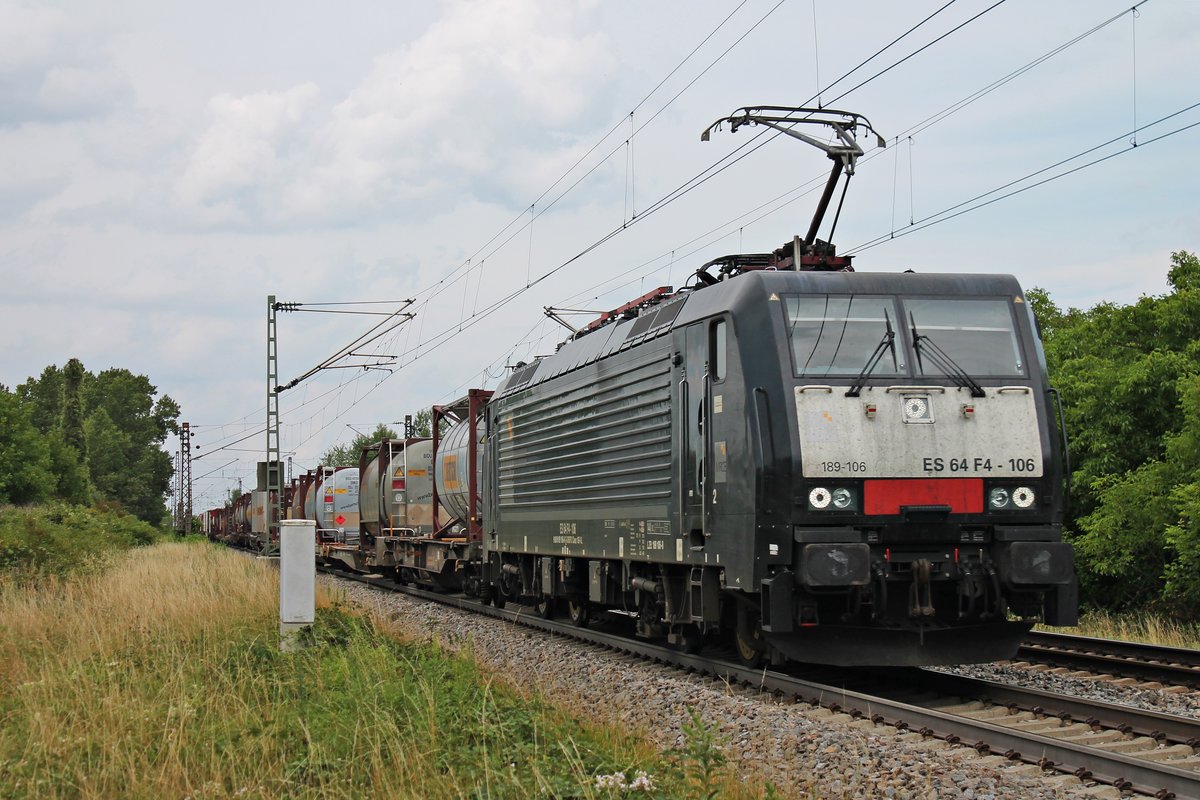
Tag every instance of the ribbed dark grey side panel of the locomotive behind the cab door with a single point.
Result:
(583, 465)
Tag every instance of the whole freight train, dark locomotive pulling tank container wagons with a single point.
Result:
(813, 464)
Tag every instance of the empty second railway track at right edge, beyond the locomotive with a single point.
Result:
(1143, 663)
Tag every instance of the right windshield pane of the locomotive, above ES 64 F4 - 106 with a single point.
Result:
(977, 335)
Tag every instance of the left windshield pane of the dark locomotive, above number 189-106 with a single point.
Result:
(837, 335)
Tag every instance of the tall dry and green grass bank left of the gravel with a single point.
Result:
(160, 677)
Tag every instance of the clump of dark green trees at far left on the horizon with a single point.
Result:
(103, 436)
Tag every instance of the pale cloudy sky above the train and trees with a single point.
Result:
(167, 167)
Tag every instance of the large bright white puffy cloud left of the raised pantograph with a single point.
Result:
(421, 129)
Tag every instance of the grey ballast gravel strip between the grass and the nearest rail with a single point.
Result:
(805, 753)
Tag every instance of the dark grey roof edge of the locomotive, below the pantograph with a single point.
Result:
(748, 290)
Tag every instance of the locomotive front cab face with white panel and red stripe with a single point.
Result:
(907, 424)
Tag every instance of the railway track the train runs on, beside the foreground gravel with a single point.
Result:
(1137, 751)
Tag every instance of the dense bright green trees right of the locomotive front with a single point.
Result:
(1129, 377)
